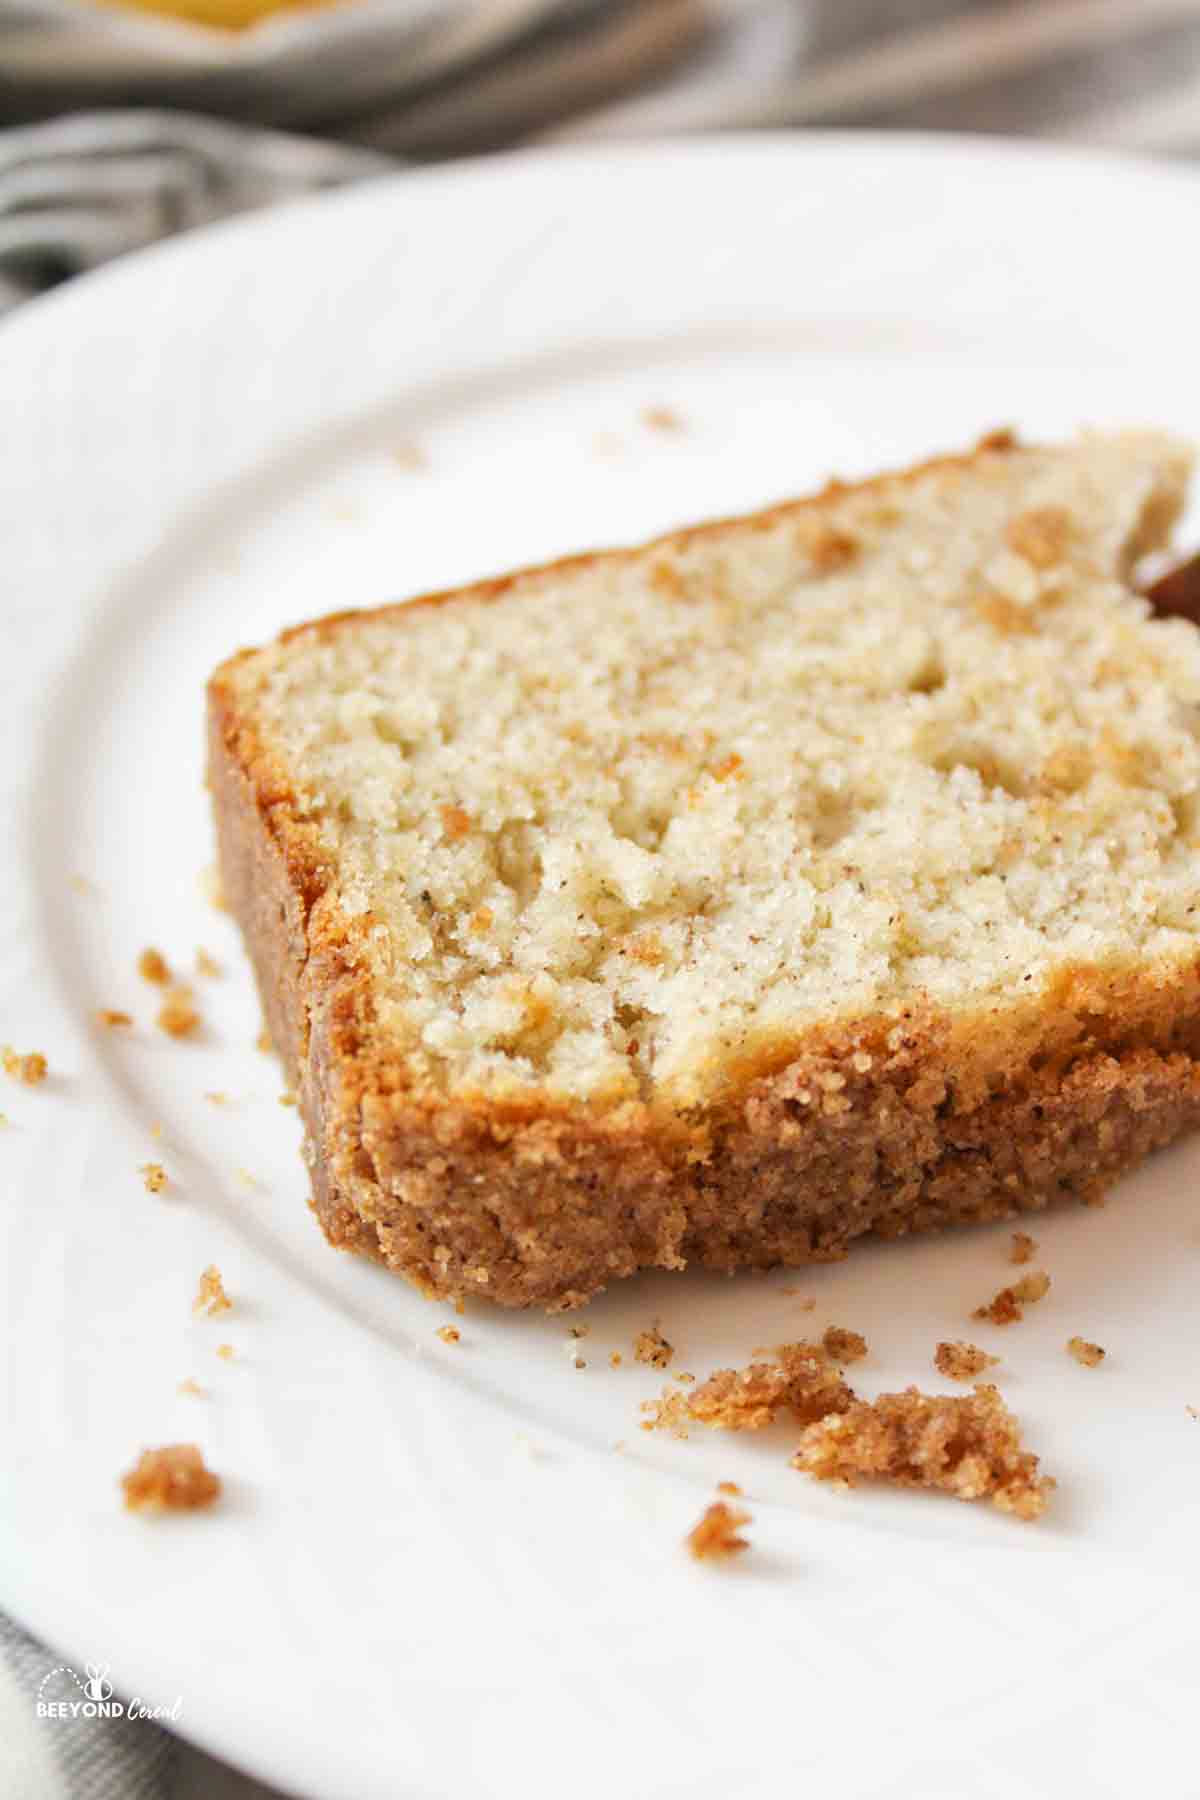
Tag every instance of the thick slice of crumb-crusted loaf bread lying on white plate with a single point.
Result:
(825, 872)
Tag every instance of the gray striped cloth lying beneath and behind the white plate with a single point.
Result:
(85, 177)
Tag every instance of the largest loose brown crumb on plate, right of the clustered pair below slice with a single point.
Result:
(962, 1444)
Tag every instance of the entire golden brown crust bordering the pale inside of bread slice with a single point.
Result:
(886, 1124)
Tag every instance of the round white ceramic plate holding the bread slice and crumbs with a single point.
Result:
(434, 1572)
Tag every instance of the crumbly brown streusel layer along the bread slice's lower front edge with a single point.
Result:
(483, 1219)
